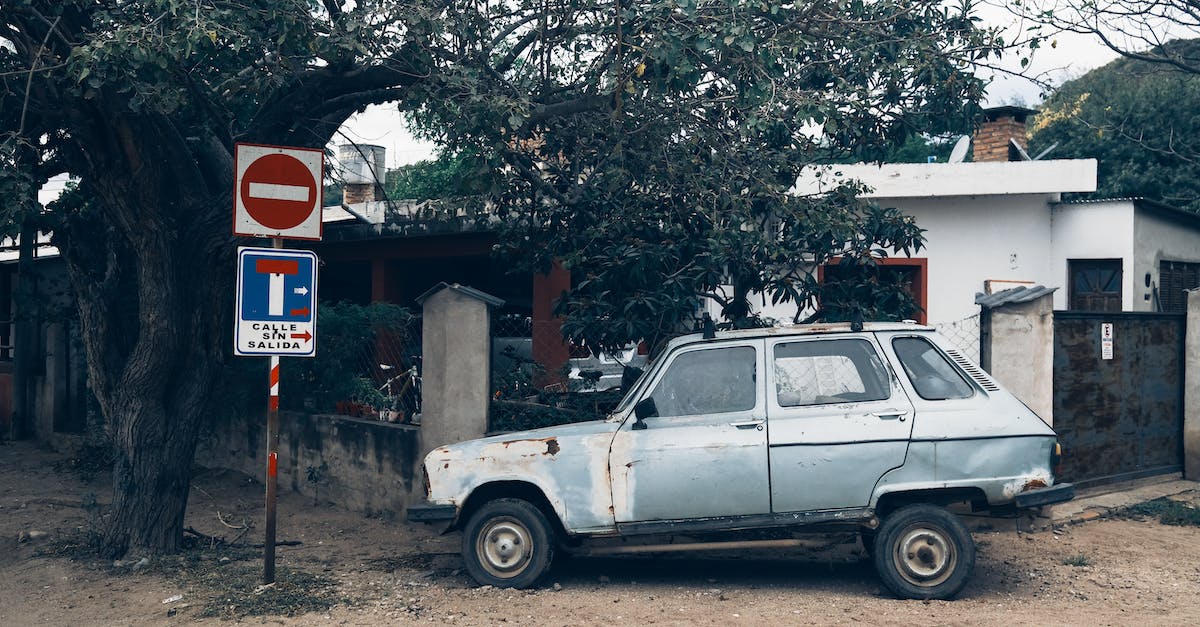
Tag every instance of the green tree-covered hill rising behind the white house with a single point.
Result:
(1137, 120)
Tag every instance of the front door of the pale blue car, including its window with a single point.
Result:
(705, 455)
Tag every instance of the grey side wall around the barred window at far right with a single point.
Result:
(1160, 237)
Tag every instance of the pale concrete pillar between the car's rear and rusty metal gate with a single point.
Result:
(1022, 353)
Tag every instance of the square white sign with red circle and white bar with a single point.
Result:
(278, 192)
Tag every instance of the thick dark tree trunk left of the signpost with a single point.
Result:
(151, 258)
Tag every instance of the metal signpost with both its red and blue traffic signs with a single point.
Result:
(277, 195)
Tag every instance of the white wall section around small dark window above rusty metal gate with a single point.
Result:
(1094, 231)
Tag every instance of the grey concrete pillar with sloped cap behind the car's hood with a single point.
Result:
(458, 365)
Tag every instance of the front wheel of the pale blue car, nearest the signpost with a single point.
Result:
(508, 544)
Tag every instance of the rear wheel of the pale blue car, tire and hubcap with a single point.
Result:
(923, 552)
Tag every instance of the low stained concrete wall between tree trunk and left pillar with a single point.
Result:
(370, 463)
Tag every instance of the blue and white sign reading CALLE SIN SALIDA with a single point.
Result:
(277, 303)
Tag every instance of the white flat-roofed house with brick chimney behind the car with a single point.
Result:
(994, 225)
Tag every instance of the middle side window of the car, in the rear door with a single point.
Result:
(825, 372)
